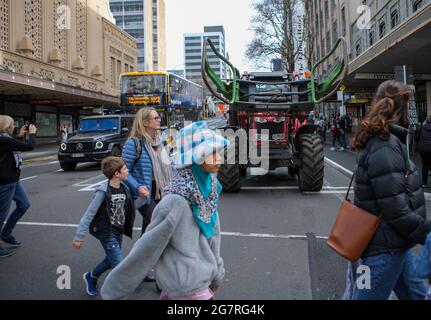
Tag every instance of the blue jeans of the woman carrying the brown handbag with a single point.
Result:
(392, 272)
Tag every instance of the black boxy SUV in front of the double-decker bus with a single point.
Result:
(97, 138)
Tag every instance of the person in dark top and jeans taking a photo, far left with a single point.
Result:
(11, 188)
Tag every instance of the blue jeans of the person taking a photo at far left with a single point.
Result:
(8, 192)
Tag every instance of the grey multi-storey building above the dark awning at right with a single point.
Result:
(381, 35)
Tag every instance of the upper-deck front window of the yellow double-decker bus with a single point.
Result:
(145, 84)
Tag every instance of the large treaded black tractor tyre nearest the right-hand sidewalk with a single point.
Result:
(312, 172)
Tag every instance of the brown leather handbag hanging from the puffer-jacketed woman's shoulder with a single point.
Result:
(353, 229)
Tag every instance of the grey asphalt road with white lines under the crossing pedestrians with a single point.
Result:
(264, 245)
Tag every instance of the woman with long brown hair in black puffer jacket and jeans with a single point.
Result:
(387, 183)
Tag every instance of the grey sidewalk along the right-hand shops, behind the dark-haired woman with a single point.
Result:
(347, 159)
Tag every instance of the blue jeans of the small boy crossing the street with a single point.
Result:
(112, 247)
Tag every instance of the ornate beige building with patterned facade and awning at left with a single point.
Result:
(58, 60)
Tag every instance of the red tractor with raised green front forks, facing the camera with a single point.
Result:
(274, 103)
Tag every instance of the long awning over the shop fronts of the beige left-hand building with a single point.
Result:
(17, 86)
